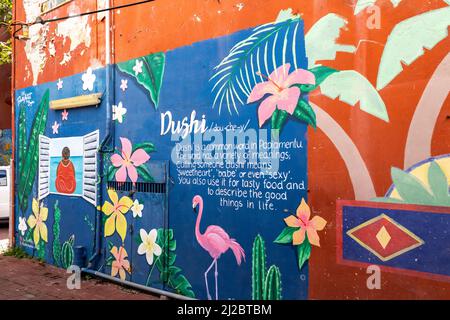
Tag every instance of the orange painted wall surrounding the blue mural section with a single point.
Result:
(166, 24)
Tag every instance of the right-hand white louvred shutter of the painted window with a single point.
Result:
(90, 147)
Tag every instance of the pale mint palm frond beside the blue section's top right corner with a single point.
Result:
(320, 41)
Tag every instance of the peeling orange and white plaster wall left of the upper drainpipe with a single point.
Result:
(52, 46)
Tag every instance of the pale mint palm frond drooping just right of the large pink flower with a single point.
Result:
(352, 87)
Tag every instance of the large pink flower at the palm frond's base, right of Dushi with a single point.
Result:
(280, 85)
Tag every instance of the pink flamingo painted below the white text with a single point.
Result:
(216, 241)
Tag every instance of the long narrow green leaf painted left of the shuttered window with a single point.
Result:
(29, 168)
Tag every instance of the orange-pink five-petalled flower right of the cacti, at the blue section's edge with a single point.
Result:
(308, 227)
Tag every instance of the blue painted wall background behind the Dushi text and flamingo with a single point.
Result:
(260, 207)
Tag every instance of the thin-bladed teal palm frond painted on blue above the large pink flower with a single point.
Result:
(268, 47)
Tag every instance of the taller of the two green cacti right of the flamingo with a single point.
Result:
(258, 268)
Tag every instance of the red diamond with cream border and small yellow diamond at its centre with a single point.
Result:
(384, 237)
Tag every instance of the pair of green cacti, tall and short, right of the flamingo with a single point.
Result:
(266, 285)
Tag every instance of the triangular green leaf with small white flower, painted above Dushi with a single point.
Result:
(152, 73)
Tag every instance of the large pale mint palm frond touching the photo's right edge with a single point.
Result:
(407, 41)
